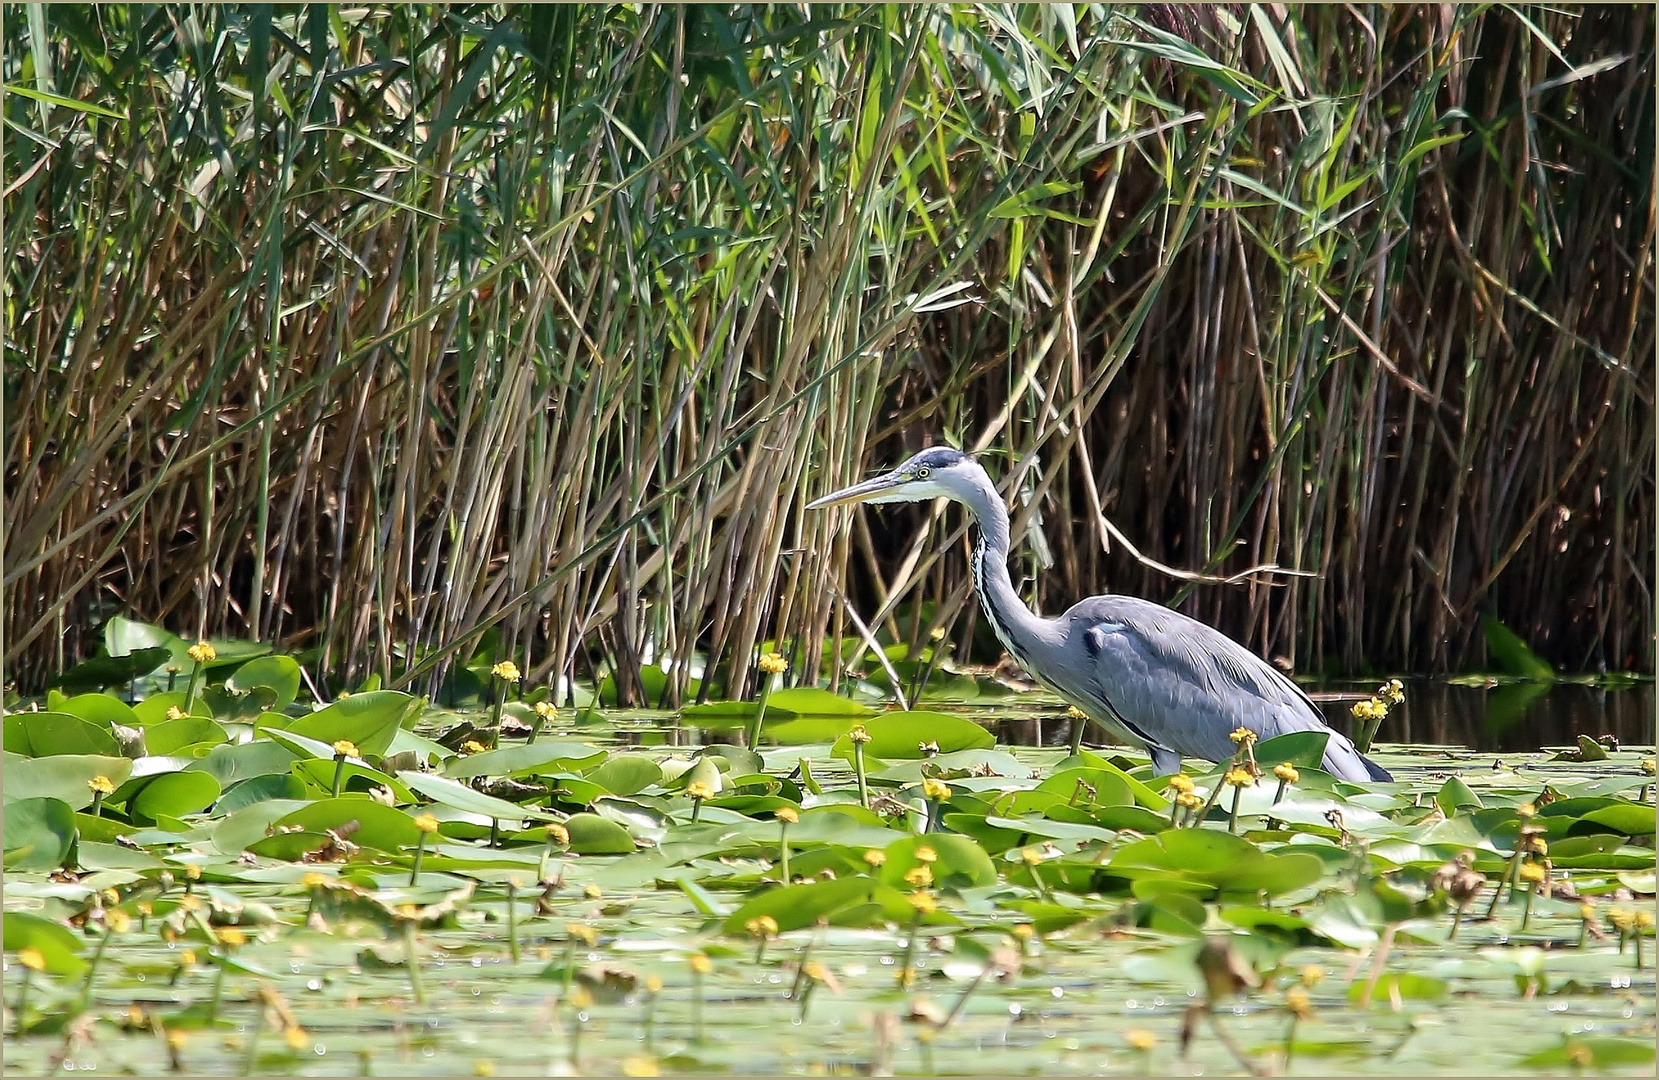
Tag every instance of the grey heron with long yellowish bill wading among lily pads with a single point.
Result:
(1149, 674)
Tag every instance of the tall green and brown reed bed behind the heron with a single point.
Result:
(409, 334)
